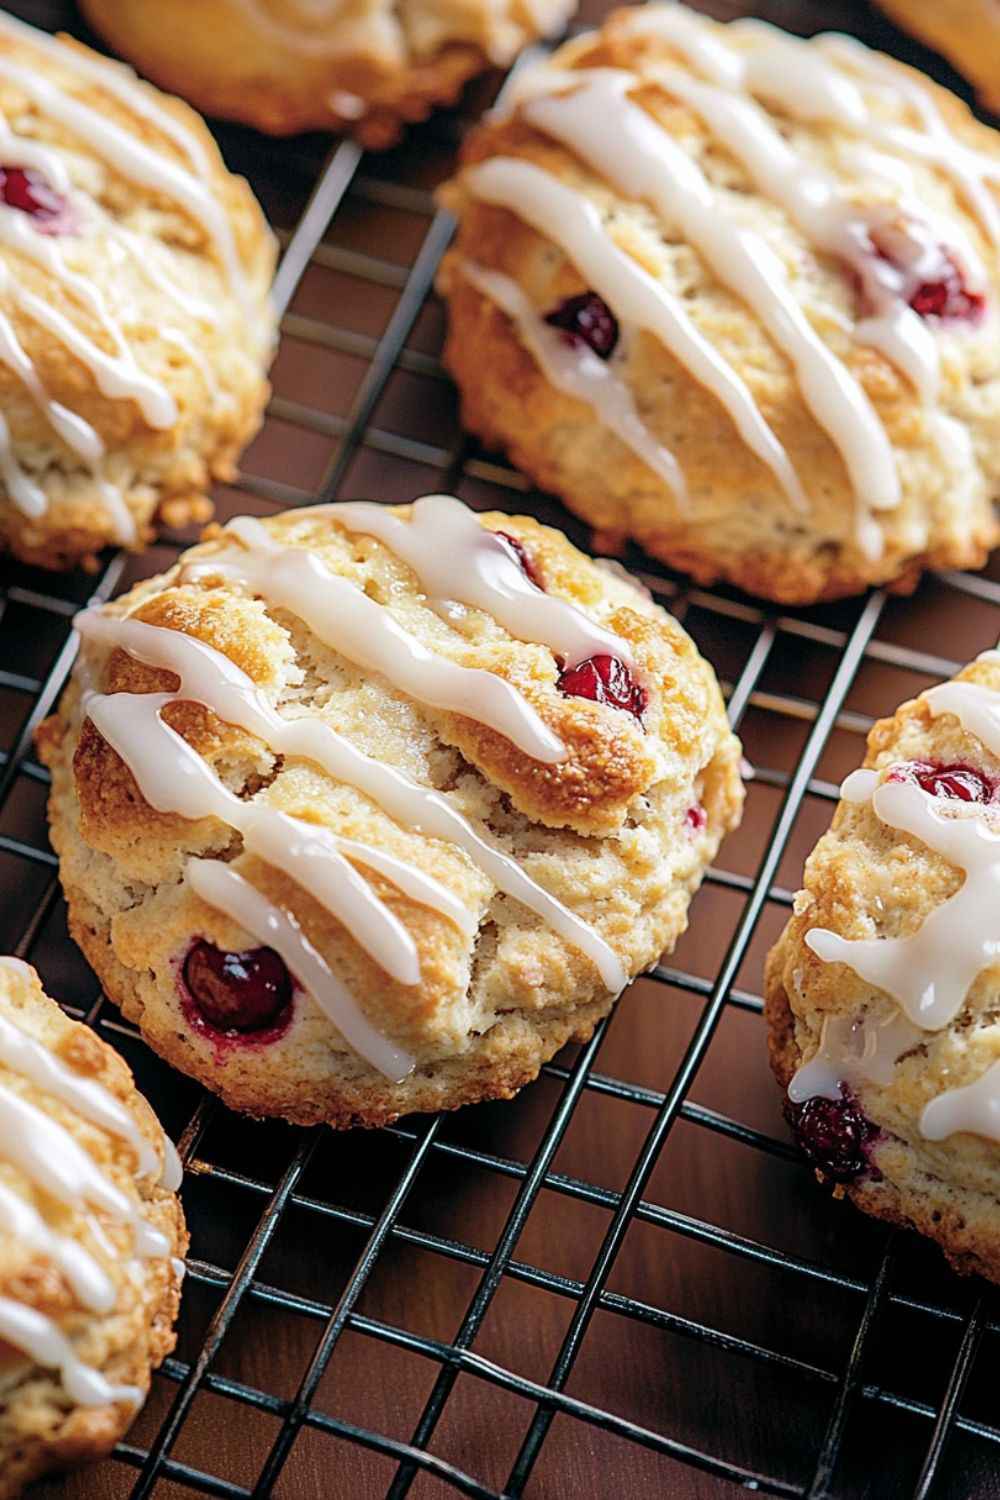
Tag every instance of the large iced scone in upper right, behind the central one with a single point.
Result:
(735, 295)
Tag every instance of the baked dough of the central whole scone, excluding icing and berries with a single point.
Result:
(621, 832)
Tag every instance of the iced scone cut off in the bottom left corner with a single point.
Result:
(91, 1237)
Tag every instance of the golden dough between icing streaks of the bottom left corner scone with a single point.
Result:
(43, 1429)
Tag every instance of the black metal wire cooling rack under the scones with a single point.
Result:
(852, 638)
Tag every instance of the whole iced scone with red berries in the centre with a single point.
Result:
(365, 811)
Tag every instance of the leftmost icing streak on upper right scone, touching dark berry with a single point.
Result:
(579, 373)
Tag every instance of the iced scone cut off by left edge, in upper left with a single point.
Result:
(136, 329)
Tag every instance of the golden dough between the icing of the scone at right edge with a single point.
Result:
(867, 880)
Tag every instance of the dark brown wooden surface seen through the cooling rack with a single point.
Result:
(699, 1390)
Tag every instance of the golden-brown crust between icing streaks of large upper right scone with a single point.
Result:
(737, 526)
